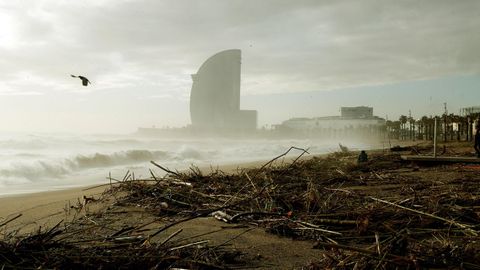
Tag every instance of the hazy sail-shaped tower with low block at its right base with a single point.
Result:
(215, 95)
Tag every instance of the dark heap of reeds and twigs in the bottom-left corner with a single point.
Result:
(90, 243)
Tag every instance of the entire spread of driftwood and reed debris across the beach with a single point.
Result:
(379, 214)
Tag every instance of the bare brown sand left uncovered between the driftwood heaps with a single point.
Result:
(45, 209)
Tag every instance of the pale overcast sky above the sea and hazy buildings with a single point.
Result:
(139, 56)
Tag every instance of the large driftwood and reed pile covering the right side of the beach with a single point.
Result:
(378, 214)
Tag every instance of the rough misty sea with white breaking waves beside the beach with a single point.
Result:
(46, 162)
